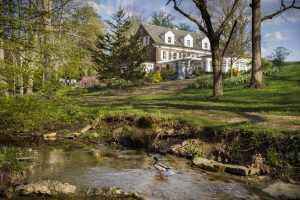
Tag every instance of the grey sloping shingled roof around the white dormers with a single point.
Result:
(156, 32)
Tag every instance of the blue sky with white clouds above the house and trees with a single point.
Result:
(284, 30)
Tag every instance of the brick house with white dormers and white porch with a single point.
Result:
(182, 51)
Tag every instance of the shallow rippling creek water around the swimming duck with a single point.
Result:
(132, 171)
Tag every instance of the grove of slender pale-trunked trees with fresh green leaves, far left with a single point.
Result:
(42, 38)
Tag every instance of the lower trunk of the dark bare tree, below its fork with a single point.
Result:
(217, 70)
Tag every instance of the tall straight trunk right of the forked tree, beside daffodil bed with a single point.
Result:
(257, 76)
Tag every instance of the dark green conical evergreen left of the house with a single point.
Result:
(117, 55)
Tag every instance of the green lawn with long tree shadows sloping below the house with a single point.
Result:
(275, 106)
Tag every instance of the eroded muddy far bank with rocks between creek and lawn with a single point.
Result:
(239, 145)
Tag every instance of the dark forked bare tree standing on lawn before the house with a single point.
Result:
(214, 34)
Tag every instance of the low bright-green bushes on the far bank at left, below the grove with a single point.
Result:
(40, 111)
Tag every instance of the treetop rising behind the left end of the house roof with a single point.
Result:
(162, 19)
